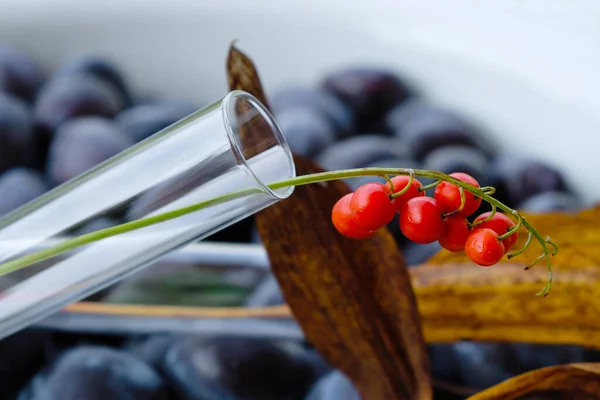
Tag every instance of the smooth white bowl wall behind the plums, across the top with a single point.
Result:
(526, 70)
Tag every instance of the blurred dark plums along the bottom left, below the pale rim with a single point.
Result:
(44, 365)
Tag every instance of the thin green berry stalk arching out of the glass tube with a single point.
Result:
(483, 193)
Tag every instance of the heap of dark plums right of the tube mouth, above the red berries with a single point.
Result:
(367, 117)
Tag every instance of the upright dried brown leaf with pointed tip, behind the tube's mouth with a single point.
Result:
(353, 299)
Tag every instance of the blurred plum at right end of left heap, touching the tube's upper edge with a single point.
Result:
(142, 121)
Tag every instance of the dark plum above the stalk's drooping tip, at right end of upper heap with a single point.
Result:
(516, 178)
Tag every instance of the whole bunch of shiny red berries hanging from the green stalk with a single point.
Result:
(425, 219)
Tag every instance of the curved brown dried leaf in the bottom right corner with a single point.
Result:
(569, 381)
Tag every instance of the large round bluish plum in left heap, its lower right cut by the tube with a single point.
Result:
(82, 143)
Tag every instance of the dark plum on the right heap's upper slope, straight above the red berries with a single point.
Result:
(424, 128)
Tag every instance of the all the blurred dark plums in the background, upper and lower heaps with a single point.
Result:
(57, 124)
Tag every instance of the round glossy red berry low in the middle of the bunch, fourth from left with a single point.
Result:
(421, 220)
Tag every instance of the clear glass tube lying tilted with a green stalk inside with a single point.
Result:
(198, 158)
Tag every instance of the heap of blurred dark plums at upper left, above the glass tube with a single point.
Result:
(56, 125)
